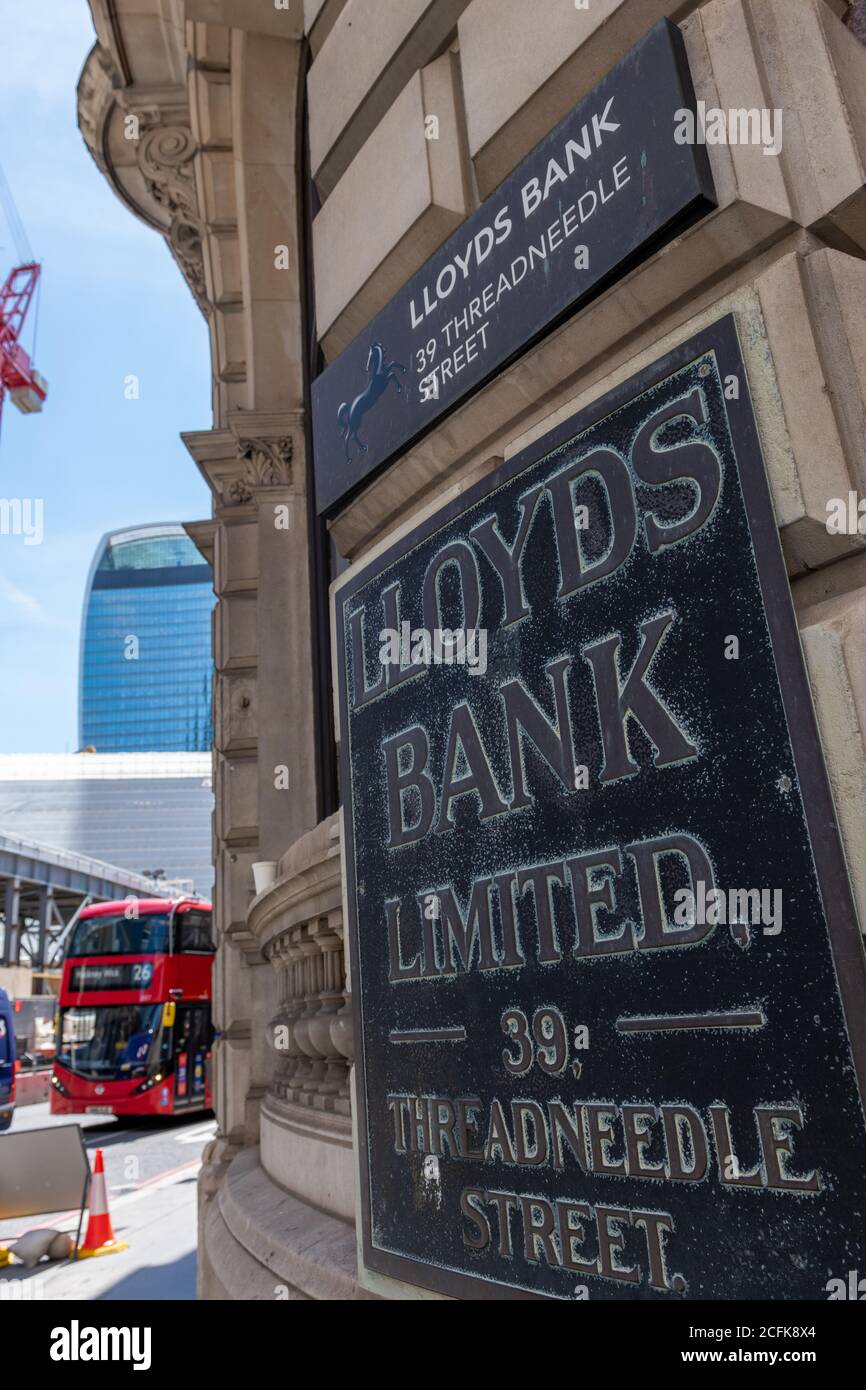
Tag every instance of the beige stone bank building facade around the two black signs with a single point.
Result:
(284, 154)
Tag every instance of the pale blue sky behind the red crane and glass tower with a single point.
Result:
(113, 304)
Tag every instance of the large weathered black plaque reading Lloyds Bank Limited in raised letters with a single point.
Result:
(608, 978)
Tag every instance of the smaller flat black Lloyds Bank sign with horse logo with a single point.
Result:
(601, 193)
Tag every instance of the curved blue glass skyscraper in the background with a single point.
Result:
(147, 665)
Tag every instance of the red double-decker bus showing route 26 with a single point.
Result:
(134, 1032)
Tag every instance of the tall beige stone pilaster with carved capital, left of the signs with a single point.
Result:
(244, 117)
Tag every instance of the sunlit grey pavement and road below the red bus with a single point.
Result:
(151, 1172)
